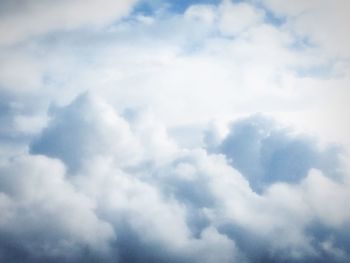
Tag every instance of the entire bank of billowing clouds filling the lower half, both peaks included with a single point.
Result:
(192, 206)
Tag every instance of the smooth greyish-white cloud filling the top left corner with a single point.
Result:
(22, 19)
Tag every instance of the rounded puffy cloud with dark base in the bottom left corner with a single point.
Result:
(42, 214)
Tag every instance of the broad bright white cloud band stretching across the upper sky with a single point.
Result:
(256, 72)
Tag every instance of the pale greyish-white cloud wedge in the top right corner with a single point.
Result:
(321, 22)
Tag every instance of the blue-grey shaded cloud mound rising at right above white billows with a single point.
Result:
(266, 154)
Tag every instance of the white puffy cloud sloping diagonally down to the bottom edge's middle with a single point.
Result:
(148, 223)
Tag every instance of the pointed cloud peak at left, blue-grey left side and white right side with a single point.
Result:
(83, 130)
